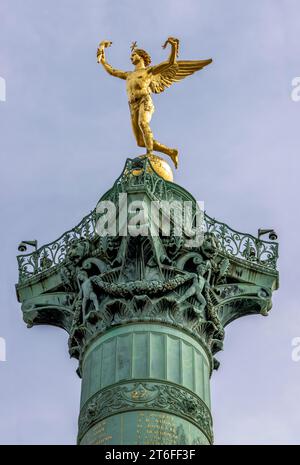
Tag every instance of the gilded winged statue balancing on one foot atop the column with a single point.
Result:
(145, 79)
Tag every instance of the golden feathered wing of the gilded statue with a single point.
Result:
(174, 73)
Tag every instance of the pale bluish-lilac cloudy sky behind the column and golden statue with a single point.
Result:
(64, 136)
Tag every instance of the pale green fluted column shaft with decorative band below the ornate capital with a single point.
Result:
(145, 384)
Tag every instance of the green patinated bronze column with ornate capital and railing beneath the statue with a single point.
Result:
(146, 314)
